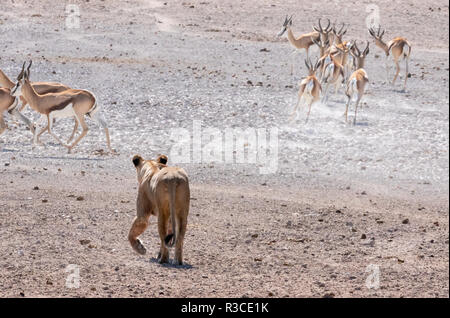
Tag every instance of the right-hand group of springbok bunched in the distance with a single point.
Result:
(340, 62)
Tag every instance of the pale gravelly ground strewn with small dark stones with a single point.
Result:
(341, 198)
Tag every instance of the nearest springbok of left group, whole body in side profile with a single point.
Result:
(75, 103)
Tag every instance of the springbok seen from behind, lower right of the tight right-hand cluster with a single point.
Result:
(357, 81)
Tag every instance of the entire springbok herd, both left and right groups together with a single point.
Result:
(339, 62)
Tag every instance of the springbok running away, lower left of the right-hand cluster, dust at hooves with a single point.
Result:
(309, 90)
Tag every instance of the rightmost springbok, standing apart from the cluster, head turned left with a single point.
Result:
(399, 48)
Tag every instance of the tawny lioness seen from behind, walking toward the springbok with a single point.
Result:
(163, 192)
